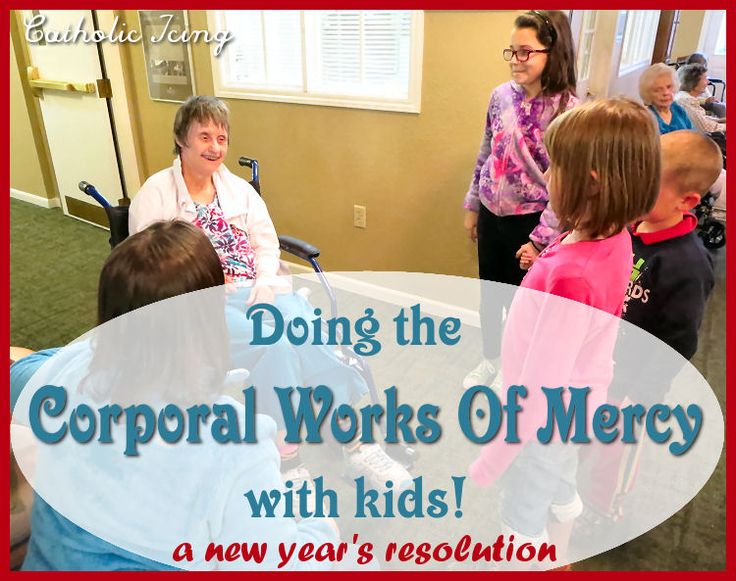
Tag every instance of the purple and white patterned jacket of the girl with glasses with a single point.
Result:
(509, 172)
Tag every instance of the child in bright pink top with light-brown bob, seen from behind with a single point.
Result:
(561, 328)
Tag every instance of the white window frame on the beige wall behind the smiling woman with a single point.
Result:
(410, 104)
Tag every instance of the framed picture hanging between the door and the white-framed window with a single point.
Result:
(168, 64)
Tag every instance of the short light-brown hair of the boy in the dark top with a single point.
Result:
(691, 162)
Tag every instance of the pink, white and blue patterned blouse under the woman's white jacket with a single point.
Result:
(232, 244)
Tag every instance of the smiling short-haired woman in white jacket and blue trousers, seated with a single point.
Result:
(199, 189)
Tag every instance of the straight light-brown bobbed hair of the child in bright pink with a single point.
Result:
(605, 159)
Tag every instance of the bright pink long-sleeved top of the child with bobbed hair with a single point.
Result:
(553, 342)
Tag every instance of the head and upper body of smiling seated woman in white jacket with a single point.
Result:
(198, 188)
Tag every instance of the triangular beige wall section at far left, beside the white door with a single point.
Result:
(25, 169)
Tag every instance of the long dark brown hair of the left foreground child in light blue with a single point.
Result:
(176, 351)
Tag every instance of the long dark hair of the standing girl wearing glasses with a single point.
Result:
(553, 31)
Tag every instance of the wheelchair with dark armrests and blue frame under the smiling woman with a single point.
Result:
(117, 217)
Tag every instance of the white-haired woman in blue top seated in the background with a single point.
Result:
(657, 87)
